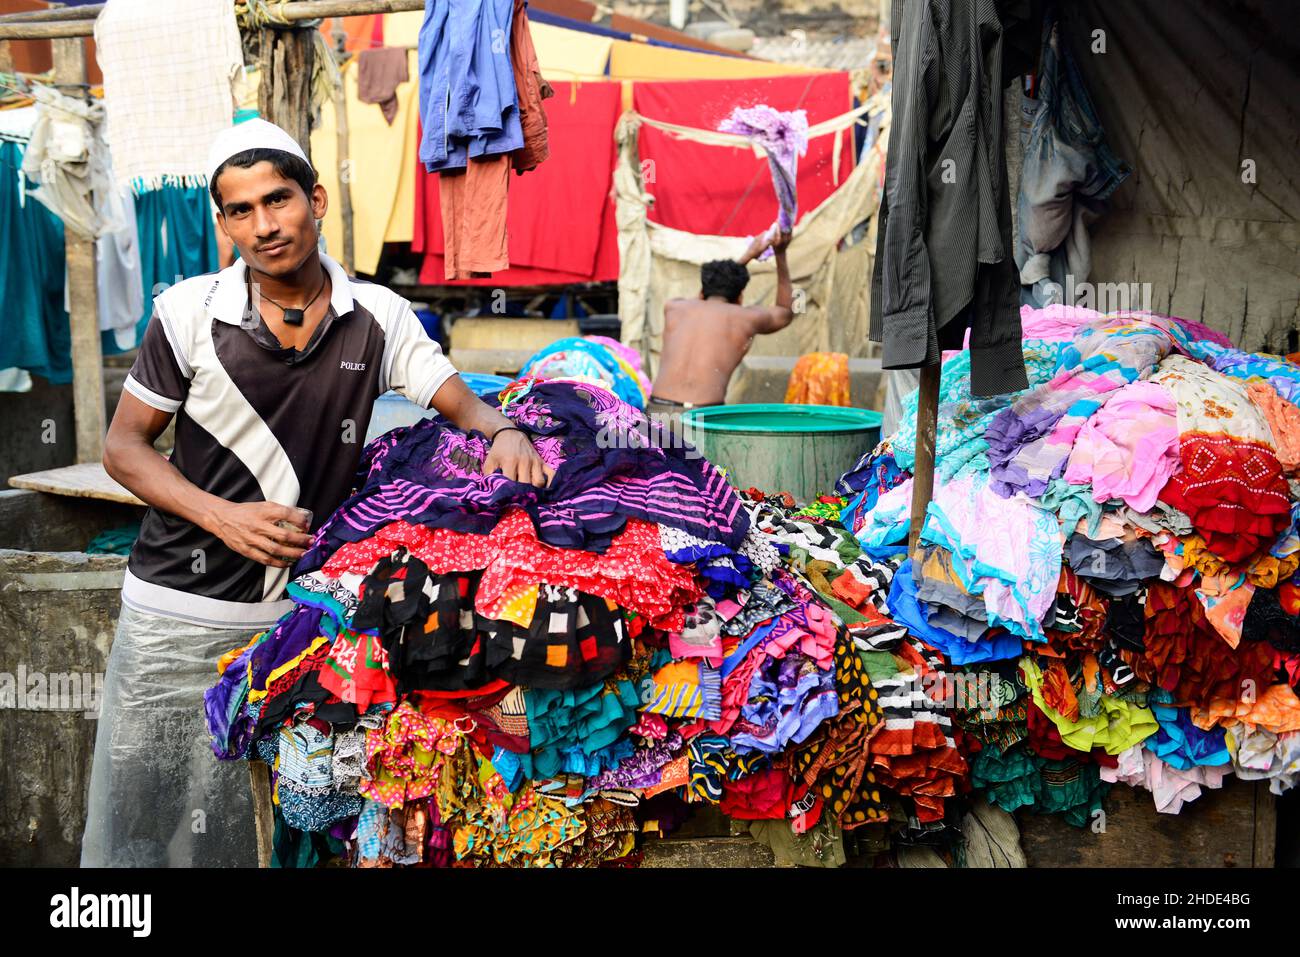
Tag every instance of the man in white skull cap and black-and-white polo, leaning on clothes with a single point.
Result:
(271, 369)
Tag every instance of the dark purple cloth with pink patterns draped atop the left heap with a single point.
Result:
(606, 471)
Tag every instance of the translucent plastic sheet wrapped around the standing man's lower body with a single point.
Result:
(158, 796)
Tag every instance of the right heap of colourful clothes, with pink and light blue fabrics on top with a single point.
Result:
(1112, 558)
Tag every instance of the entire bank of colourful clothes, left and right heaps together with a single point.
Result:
(478, 673)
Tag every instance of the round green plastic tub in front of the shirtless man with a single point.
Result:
(779, 448)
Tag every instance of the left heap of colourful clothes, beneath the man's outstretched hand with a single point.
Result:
(482, 673)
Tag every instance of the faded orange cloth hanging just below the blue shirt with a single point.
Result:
(474, 216)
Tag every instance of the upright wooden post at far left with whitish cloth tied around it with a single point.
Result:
(70, 58)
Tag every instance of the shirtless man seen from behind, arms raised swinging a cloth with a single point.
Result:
(705, 339)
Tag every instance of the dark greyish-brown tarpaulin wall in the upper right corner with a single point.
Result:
(1188, 93)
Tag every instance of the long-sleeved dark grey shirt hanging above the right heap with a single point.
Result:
(944, 256)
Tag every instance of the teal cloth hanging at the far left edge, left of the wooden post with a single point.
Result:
(34, 330)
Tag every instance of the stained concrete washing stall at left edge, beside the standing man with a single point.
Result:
(58, 616)
